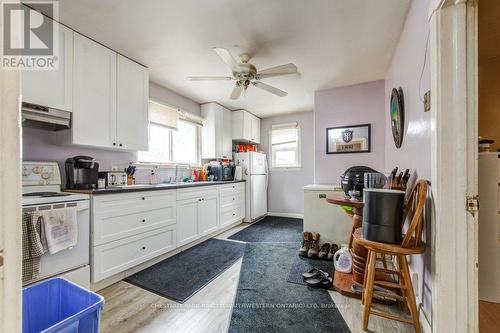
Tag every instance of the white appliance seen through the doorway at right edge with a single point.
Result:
(489, 227)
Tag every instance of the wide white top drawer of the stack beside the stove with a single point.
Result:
(128, 203)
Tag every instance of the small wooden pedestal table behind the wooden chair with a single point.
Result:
(344, 282)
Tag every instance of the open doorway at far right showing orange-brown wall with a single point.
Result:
(489, 164)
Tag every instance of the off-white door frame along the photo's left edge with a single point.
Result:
(10, 199)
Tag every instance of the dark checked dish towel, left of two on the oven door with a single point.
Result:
(32, 245)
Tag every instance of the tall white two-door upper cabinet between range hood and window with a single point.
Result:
(110, 98)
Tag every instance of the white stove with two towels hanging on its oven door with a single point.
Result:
(42, 191)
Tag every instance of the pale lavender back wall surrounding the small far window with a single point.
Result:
(285, 192)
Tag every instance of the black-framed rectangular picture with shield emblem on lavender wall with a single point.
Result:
(348, 139)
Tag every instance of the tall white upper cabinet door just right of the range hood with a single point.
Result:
(94, 93)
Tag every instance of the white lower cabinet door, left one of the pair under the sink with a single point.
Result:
(187, 221)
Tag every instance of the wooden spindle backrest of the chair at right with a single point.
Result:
(415, 211)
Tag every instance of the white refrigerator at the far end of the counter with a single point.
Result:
(255, 173)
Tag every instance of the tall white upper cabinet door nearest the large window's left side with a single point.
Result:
(132, 105)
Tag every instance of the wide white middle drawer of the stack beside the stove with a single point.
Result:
(111, 226)
